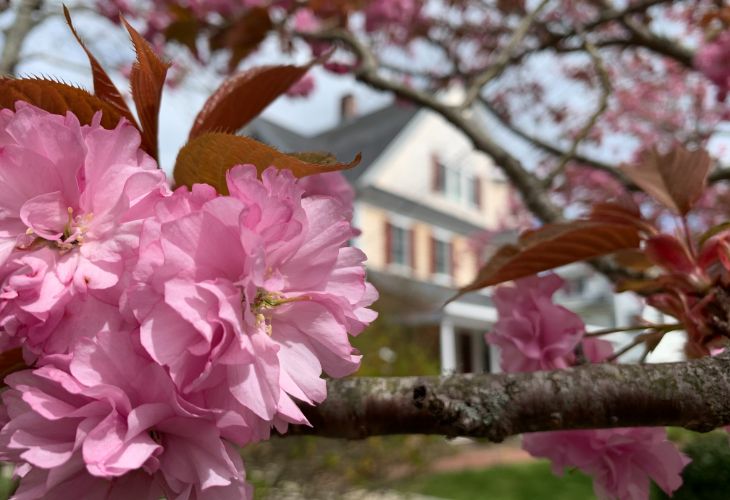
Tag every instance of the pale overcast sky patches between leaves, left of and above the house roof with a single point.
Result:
(51, 51)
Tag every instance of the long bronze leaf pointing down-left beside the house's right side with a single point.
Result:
(553, 246)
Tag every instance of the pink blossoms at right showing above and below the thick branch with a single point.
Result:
(533, 333)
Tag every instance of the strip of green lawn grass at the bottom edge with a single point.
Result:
(529, 481)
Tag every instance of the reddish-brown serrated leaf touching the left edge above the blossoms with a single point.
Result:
(57, 98)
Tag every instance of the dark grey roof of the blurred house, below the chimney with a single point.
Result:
(368, 134)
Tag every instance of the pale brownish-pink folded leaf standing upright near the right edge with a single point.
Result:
(676, 179)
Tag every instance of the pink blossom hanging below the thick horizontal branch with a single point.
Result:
(621, 461)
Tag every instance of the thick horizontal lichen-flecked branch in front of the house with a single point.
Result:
(694, 395)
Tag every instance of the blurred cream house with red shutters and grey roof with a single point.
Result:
(421, 192)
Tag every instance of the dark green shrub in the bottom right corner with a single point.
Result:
(707, 477)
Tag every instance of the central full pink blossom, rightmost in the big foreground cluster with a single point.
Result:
(246, 299)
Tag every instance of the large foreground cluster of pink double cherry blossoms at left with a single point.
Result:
(164, 329)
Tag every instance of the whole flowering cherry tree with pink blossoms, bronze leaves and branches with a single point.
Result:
(149, 327)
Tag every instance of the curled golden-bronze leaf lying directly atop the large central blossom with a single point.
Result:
(207, 158)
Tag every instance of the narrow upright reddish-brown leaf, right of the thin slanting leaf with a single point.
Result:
(147, 80)
